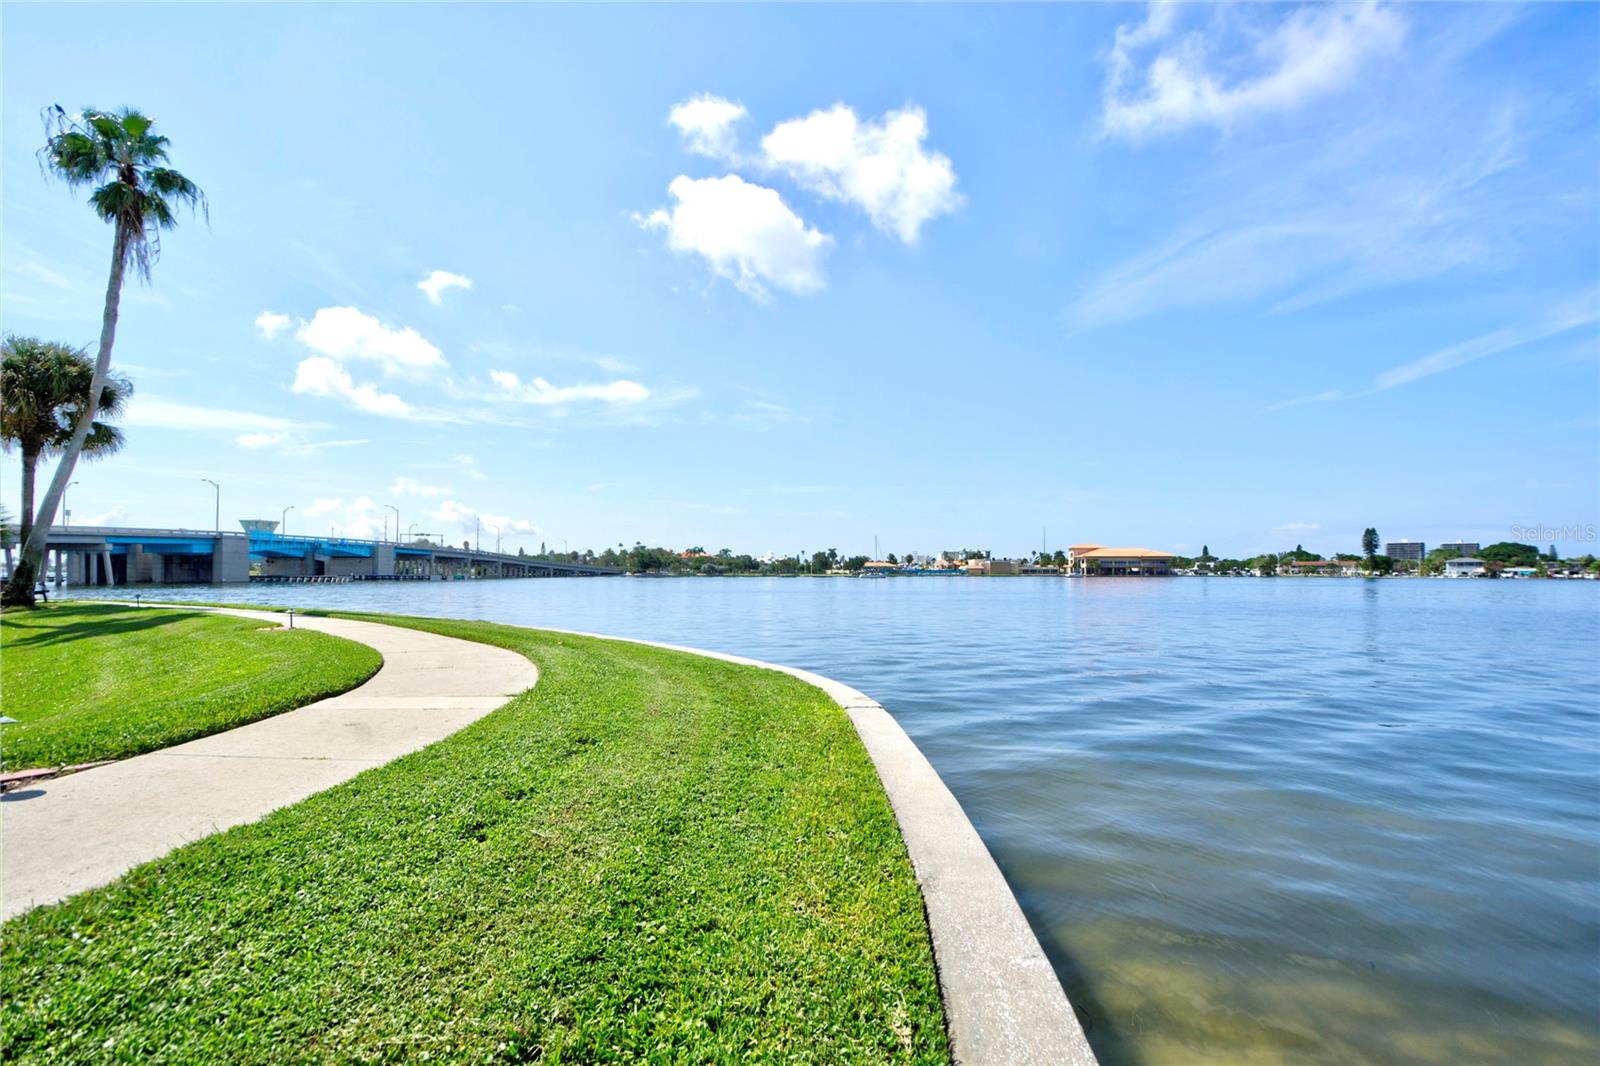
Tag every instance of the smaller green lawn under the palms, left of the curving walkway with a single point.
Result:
(94, 681)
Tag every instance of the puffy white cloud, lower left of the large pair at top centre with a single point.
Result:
(746, 233)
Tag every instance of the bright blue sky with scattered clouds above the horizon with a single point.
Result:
(796, 278)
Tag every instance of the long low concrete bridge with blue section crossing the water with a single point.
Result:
(97, 555)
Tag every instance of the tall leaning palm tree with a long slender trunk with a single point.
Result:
(135, 191)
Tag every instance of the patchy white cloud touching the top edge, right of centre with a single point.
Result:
(1313, 52)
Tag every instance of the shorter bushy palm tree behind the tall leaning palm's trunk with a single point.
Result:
(42, 390)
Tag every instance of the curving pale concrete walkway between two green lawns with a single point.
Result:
(68, 835)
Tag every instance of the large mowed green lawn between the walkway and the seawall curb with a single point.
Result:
(649, 857)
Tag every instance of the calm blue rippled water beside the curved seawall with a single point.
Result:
(1290, 820)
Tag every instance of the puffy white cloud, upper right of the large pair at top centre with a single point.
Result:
(881, 167)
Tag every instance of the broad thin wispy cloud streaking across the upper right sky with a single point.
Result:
(1426, 182)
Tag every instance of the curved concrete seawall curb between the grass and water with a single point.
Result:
(1002, 1001)
